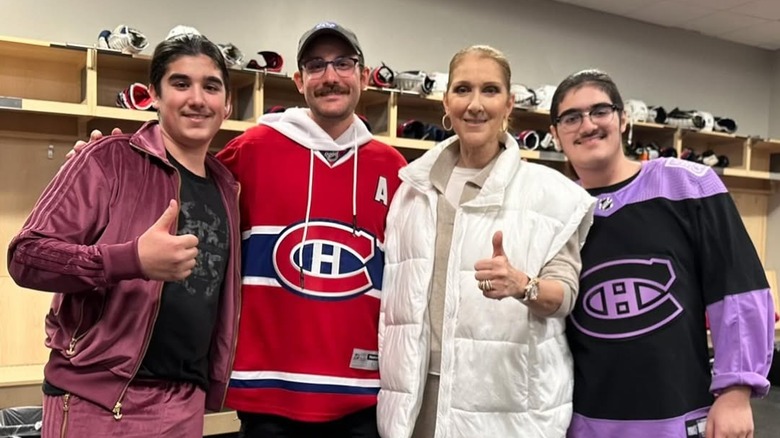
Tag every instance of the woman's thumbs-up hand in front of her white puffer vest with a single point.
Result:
(505, 280)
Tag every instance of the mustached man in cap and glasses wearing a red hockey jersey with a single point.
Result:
(315, 192)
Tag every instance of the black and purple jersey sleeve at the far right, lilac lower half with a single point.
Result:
(736, 293)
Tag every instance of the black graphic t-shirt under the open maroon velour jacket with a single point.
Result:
(181, 340)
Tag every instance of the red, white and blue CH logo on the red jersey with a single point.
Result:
(336, 264)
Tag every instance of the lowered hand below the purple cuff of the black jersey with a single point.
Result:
(731, 416)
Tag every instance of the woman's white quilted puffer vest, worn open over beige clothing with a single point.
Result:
(504, 371)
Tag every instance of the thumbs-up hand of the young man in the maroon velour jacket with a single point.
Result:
(164, 256)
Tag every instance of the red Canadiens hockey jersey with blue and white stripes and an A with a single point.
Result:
(307, 344)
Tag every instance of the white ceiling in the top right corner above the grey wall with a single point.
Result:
(752, 22)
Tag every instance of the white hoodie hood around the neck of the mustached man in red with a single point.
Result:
(297, 125)
